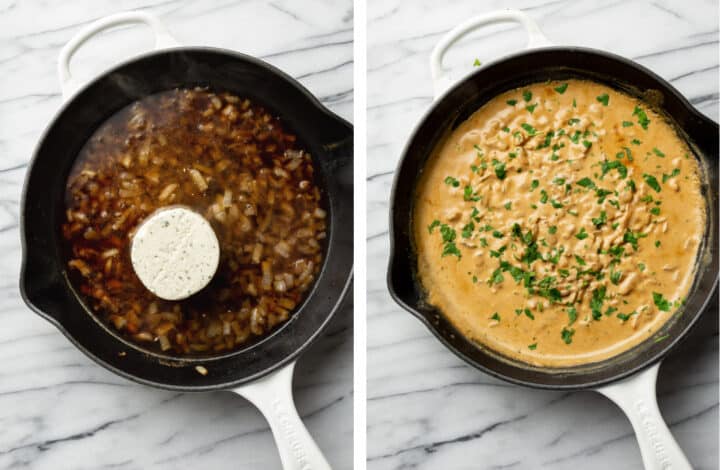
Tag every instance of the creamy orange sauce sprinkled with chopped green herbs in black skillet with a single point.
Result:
(559, 224)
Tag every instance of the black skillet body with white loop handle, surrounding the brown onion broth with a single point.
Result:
(44, 284)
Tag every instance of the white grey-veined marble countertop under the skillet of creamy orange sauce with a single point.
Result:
(427, 409)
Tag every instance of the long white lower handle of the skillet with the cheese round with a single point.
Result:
(272, 395)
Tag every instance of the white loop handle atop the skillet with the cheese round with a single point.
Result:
(163, 39)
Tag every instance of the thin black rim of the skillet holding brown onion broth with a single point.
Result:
(346, 285)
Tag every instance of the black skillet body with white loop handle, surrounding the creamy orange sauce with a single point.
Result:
(456, 105)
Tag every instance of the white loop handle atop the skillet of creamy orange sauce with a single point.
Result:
(441, 79)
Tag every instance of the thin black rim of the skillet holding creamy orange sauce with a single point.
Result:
(393, 255)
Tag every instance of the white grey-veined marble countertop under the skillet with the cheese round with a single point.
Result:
(58, 409)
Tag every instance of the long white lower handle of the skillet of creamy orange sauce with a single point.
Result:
(636, 397)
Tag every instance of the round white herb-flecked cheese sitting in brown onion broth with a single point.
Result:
(175, 253)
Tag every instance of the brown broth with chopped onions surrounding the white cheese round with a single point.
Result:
(231, 161)
